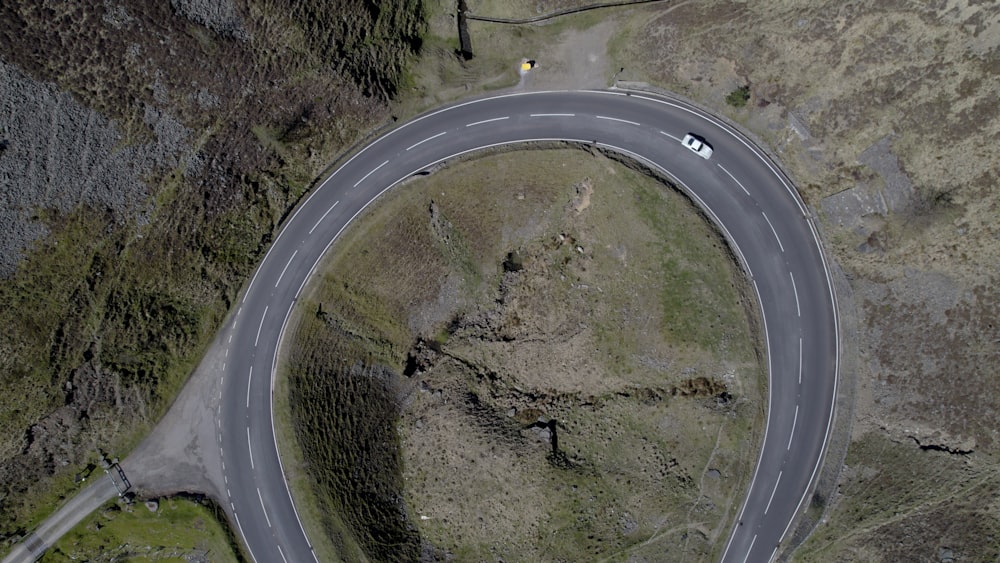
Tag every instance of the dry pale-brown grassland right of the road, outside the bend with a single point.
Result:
(828, 81)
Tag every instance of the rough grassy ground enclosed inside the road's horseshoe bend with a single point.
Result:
(498, 361)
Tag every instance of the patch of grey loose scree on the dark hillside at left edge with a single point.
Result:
(56, 154)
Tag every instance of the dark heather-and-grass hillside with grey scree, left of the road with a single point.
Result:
(147, 152)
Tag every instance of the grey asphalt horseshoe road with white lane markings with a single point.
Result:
(760, 212)
